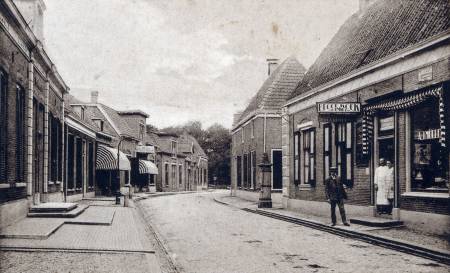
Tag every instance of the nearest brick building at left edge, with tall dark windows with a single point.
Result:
(31, 114)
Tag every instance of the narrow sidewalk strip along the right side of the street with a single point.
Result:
(399, 234)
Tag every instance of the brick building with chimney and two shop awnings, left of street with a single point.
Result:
(122, 146)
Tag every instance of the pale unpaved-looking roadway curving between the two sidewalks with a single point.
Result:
(202, 235)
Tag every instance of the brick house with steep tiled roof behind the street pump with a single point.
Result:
(258, 129)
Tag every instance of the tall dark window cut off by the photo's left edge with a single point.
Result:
(3, 127)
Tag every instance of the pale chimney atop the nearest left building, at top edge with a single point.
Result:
(33, 13)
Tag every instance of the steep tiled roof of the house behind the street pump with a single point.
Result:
(276, 89)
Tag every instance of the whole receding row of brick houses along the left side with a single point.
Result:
(56, 148)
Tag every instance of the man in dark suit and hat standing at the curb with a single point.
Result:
(335, 192)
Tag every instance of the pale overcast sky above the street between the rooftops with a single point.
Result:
(181, 60)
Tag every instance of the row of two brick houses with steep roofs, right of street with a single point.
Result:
(379, 89)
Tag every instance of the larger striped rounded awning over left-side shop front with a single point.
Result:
(107, 159)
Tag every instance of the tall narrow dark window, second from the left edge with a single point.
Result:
(20, 134)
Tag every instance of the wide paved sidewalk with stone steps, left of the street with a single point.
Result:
(105, 238)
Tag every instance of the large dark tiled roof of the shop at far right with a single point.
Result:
(386, 27)
